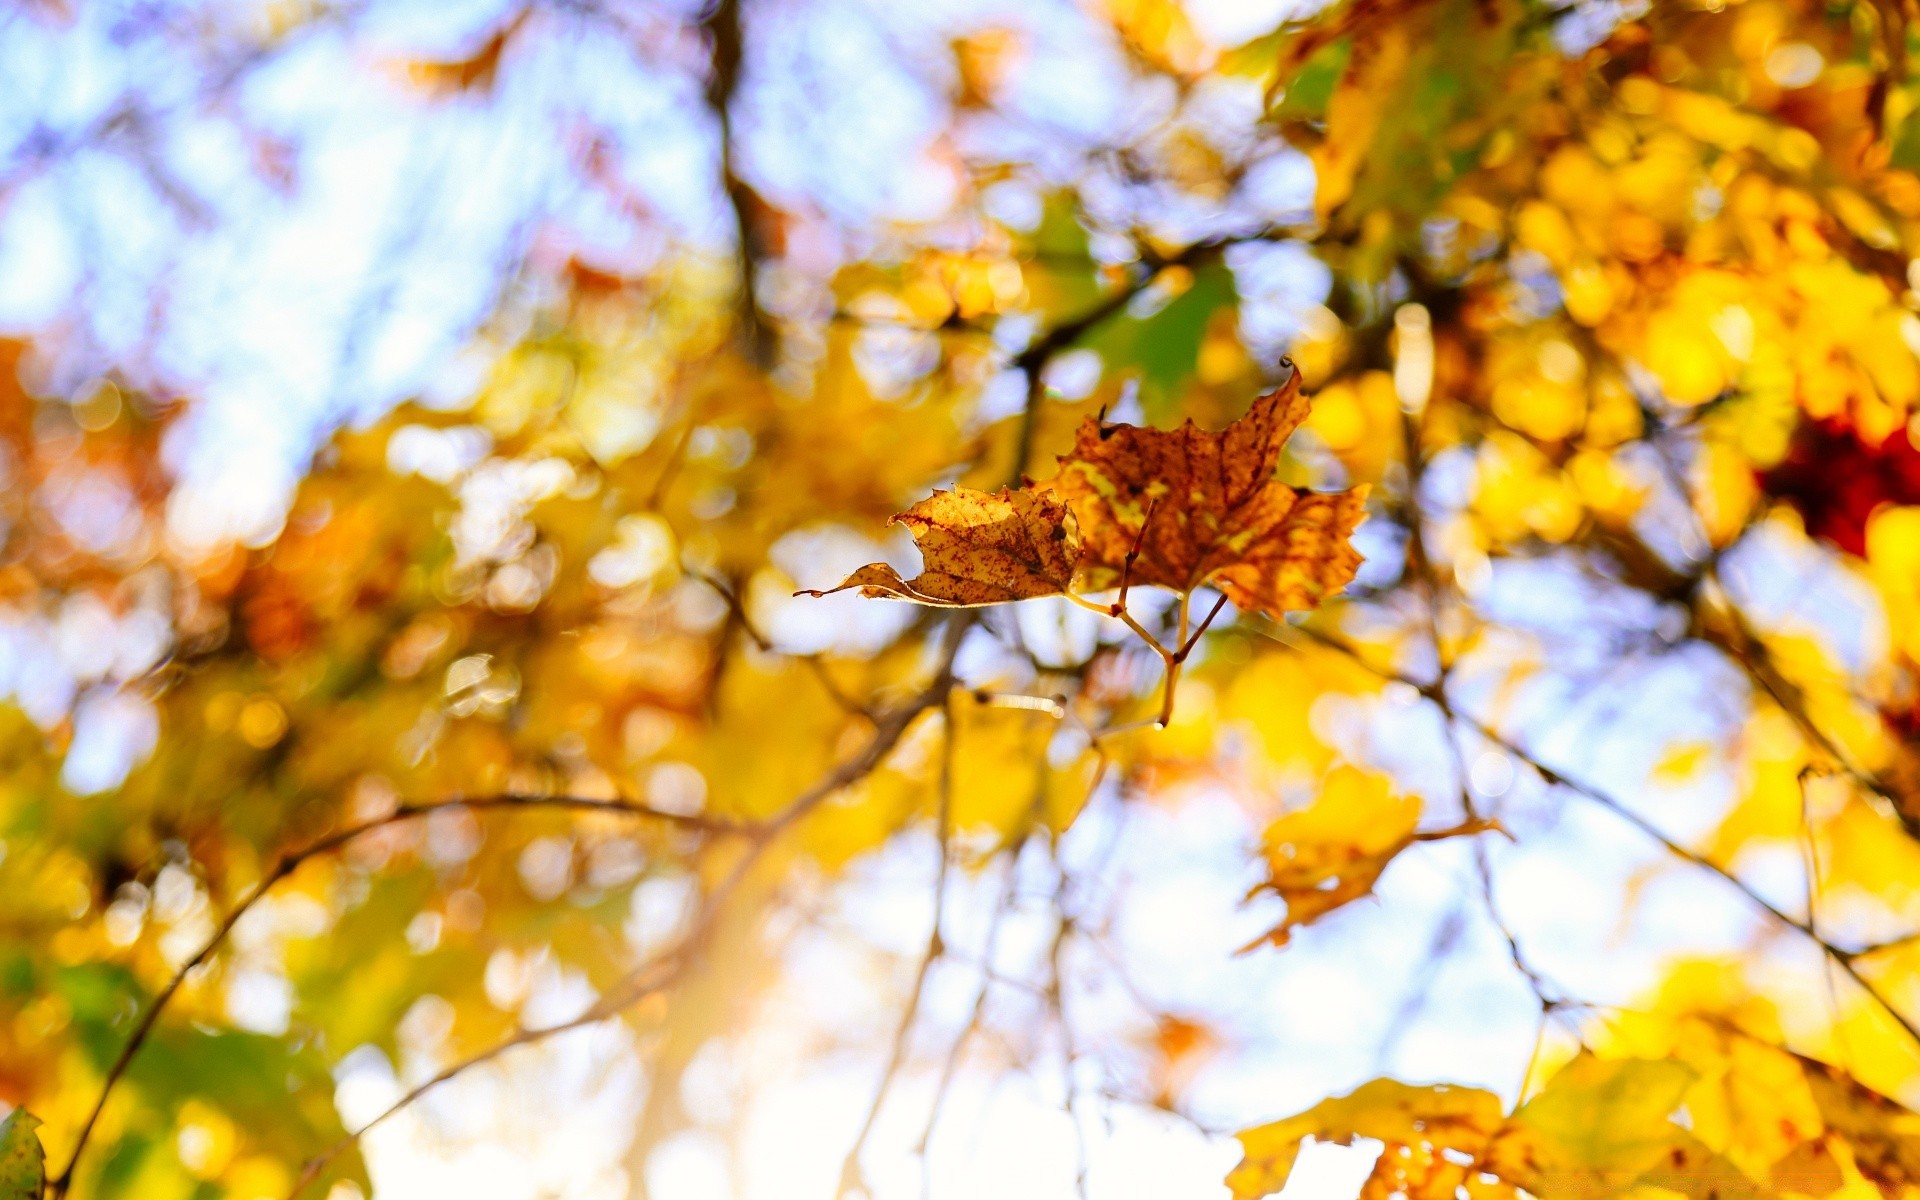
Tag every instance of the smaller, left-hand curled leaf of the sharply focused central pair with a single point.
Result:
(980, 550)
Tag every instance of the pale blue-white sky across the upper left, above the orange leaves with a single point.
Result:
(285, 229)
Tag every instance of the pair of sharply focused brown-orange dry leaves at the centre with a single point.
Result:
(1136, 506)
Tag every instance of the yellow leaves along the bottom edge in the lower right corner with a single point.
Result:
(1616, 1128)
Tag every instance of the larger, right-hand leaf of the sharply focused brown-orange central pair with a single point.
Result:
(1188, 508)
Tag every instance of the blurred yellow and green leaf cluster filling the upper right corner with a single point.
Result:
(1698, 210)
